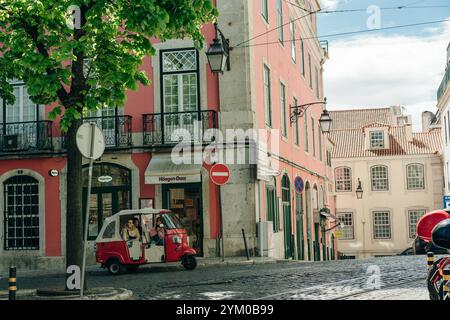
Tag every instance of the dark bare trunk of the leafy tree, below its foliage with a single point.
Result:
(74, 201)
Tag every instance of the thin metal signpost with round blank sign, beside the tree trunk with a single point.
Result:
(91, 144)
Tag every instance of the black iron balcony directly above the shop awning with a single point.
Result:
(164, 129)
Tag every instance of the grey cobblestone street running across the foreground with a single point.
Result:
(400, 278)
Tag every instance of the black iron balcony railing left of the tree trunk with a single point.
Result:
(30, 136)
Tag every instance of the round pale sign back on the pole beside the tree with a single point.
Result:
(84, 141)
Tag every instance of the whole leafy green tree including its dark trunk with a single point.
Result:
(86, 65)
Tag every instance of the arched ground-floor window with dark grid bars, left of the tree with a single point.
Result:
(21, 205)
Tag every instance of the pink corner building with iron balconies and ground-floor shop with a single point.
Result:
(268, 75)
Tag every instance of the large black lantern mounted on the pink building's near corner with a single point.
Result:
(219, 53)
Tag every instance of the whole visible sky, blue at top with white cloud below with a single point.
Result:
(383, 68)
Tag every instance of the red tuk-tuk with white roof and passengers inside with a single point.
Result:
(117, 252)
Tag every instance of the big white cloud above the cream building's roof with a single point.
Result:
(385, 70)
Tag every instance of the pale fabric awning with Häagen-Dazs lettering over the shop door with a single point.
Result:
(162, 170)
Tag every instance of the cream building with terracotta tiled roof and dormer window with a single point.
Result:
(398, 171)
